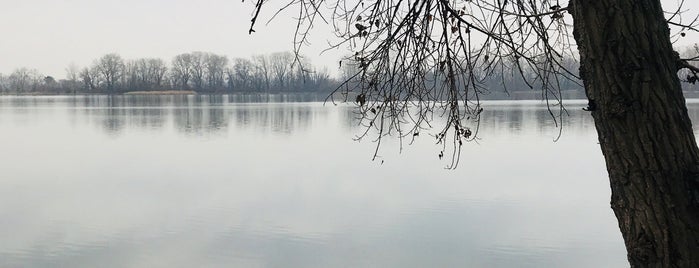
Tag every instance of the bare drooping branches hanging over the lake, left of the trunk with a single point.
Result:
(420, 65)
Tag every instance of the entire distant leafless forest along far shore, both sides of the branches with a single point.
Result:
(209, 73)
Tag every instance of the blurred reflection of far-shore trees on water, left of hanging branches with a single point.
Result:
(196, 115)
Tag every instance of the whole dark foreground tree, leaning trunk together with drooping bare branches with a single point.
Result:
(418, 59)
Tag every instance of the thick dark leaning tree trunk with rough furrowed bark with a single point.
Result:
(629, 70)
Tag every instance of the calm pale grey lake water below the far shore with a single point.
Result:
(175, 181)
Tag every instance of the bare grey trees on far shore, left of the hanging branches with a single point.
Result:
(197, 71)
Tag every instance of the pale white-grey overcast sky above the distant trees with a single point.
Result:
(51, 34)
